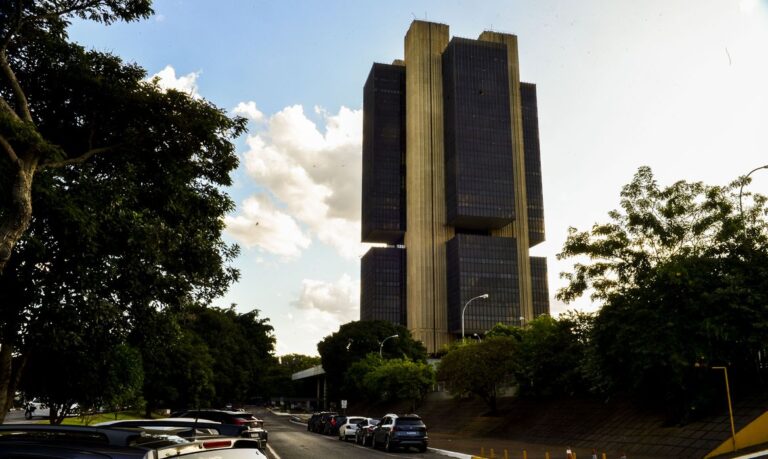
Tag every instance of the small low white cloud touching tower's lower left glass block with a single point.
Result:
(340, 299)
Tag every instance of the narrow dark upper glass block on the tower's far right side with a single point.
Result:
(534, 192)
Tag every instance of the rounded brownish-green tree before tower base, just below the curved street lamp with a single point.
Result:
(479, 368)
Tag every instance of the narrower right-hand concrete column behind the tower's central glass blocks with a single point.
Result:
(519, 228)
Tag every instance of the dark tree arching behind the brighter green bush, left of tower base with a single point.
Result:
(355, 340)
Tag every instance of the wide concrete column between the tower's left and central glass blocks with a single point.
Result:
(427, 231)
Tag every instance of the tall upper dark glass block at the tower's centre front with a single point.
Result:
(479, 184)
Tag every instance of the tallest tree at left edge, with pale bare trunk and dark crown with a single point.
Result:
(83, 135)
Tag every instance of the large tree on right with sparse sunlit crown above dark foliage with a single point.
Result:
(682, 281)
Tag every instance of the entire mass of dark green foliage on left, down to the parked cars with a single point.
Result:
(125, 241)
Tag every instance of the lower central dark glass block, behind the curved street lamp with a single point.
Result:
(478, 265)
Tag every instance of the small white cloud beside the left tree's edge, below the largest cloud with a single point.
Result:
(261, 224)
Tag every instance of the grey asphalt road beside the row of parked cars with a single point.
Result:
(288, 440)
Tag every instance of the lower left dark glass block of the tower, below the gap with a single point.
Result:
(382, 285)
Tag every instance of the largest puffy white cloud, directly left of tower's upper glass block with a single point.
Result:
(312, 173)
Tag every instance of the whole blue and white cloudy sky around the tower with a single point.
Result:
(675, 85)
